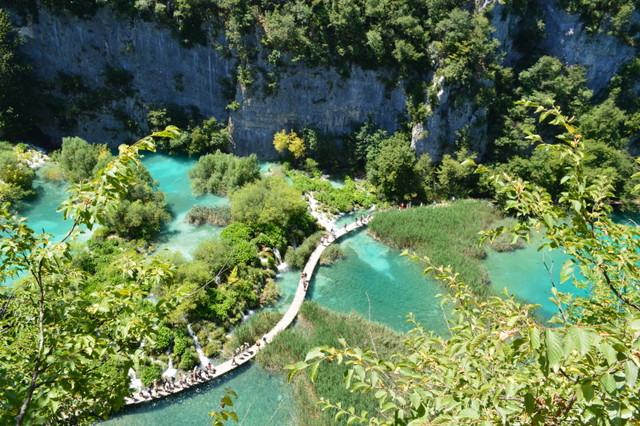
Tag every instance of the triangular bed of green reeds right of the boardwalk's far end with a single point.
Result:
(448, 235)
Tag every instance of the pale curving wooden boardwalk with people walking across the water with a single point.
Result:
(284, 322)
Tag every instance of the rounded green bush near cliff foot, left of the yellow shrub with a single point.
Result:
(222, 174)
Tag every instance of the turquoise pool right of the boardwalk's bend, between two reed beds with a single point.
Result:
(374, 281)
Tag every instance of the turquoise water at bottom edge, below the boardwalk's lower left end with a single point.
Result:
(262, 400)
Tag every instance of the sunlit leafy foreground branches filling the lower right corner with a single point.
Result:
(499, 365)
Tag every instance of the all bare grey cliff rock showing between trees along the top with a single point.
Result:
(163, 71)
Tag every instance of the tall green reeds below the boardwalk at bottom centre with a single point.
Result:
(317, 326)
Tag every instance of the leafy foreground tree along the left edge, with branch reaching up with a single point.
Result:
(60, 343)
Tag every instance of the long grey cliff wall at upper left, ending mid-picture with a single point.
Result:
(164, 71)
